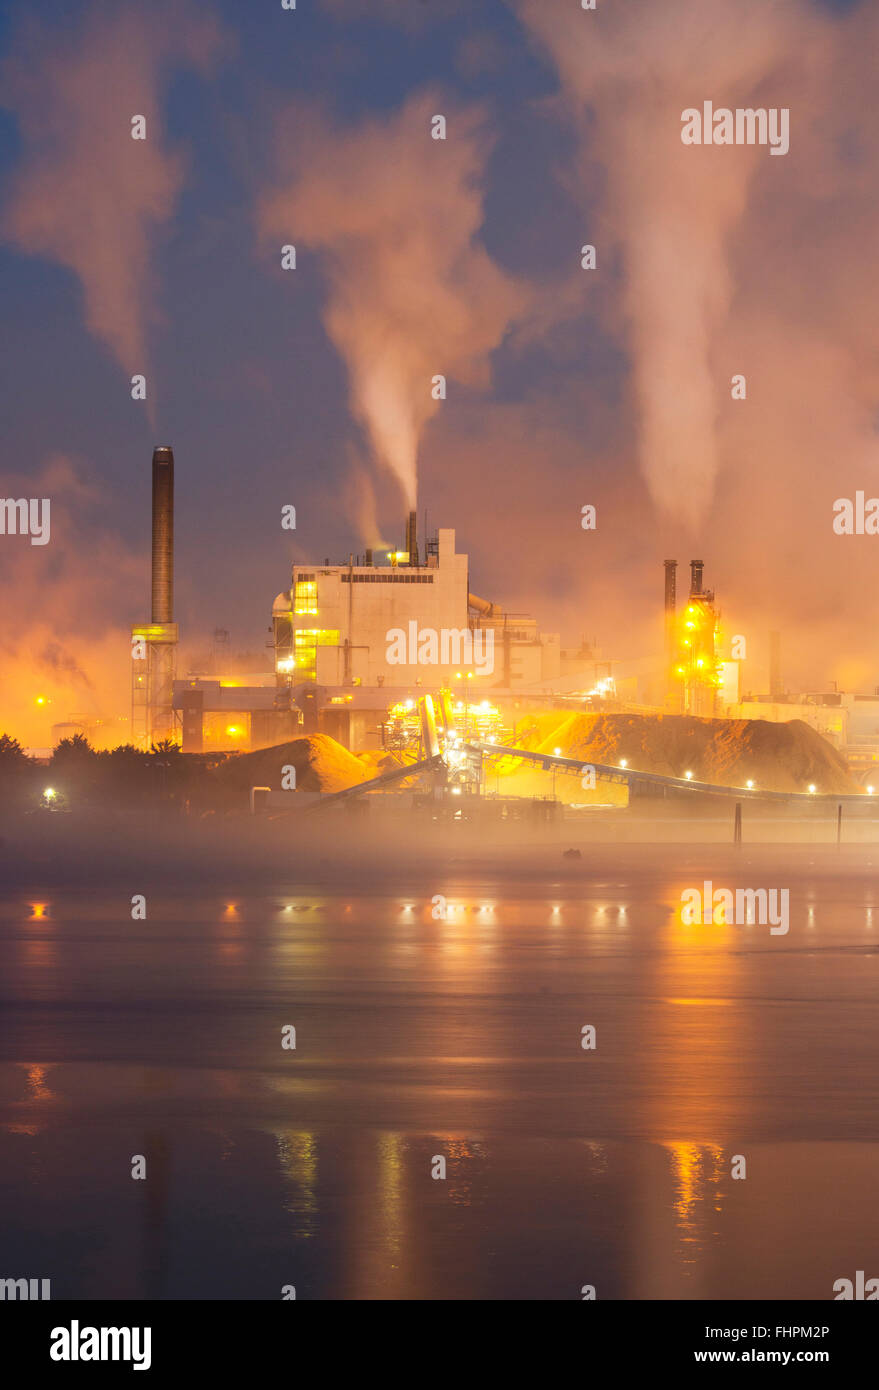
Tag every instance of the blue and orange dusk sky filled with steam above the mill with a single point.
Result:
(421, 258)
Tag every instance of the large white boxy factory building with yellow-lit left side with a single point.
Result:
(390, 621)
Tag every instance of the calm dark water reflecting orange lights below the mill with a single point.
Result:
(419, 1038)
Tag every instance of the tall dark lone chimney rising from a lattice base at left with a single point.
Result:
(154, 646)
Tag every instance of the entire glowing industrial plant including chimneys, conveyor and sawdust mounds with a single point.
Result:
(394, 660)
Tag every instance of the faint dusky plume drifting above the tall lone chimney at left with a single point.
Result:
(88, 195)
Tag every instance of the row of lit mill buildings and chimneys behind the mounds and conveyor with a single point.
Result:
(357, 647)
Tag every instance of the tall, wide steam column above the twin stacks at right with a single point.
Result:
(678, 211)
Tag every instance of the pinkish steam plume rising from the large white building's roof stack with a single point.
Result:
(414, 294)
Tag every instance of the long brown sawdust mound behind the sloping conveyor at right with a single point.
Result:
(723, 751)
